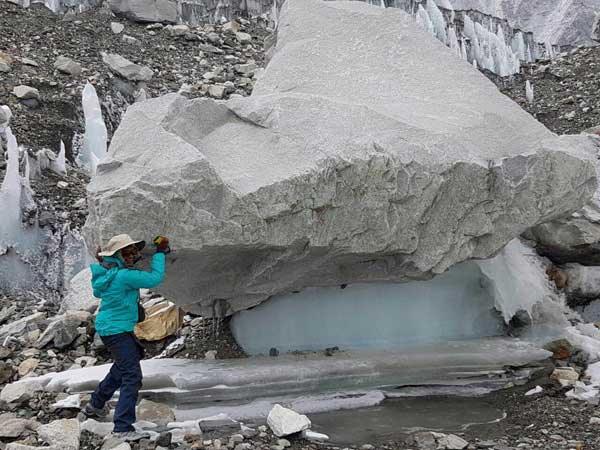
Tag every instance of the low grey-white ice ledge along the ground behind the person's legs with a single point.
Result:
(214, 386)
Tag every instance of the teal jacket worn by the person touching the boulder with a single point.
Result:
(118, 288)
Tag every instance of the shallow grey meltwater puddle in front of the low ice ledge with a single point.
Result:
(396, 417)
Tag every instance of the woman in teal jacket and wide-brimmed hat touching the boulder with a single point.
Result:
(117, 284)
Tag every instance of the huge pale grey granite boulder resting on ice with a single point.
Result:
(355, 160)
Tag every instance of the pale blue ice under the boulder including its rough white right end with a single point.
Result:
(462, 303)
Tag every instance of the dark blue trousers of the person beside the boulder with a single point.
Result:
(125, 375)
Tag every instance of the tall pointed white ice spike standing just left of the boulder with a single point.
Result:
(94, 147)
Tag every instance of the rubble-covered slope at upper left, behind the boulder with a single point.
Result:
(193, 59)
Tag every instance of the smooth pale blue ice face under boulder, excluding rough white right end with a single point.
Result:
(451, 306)
